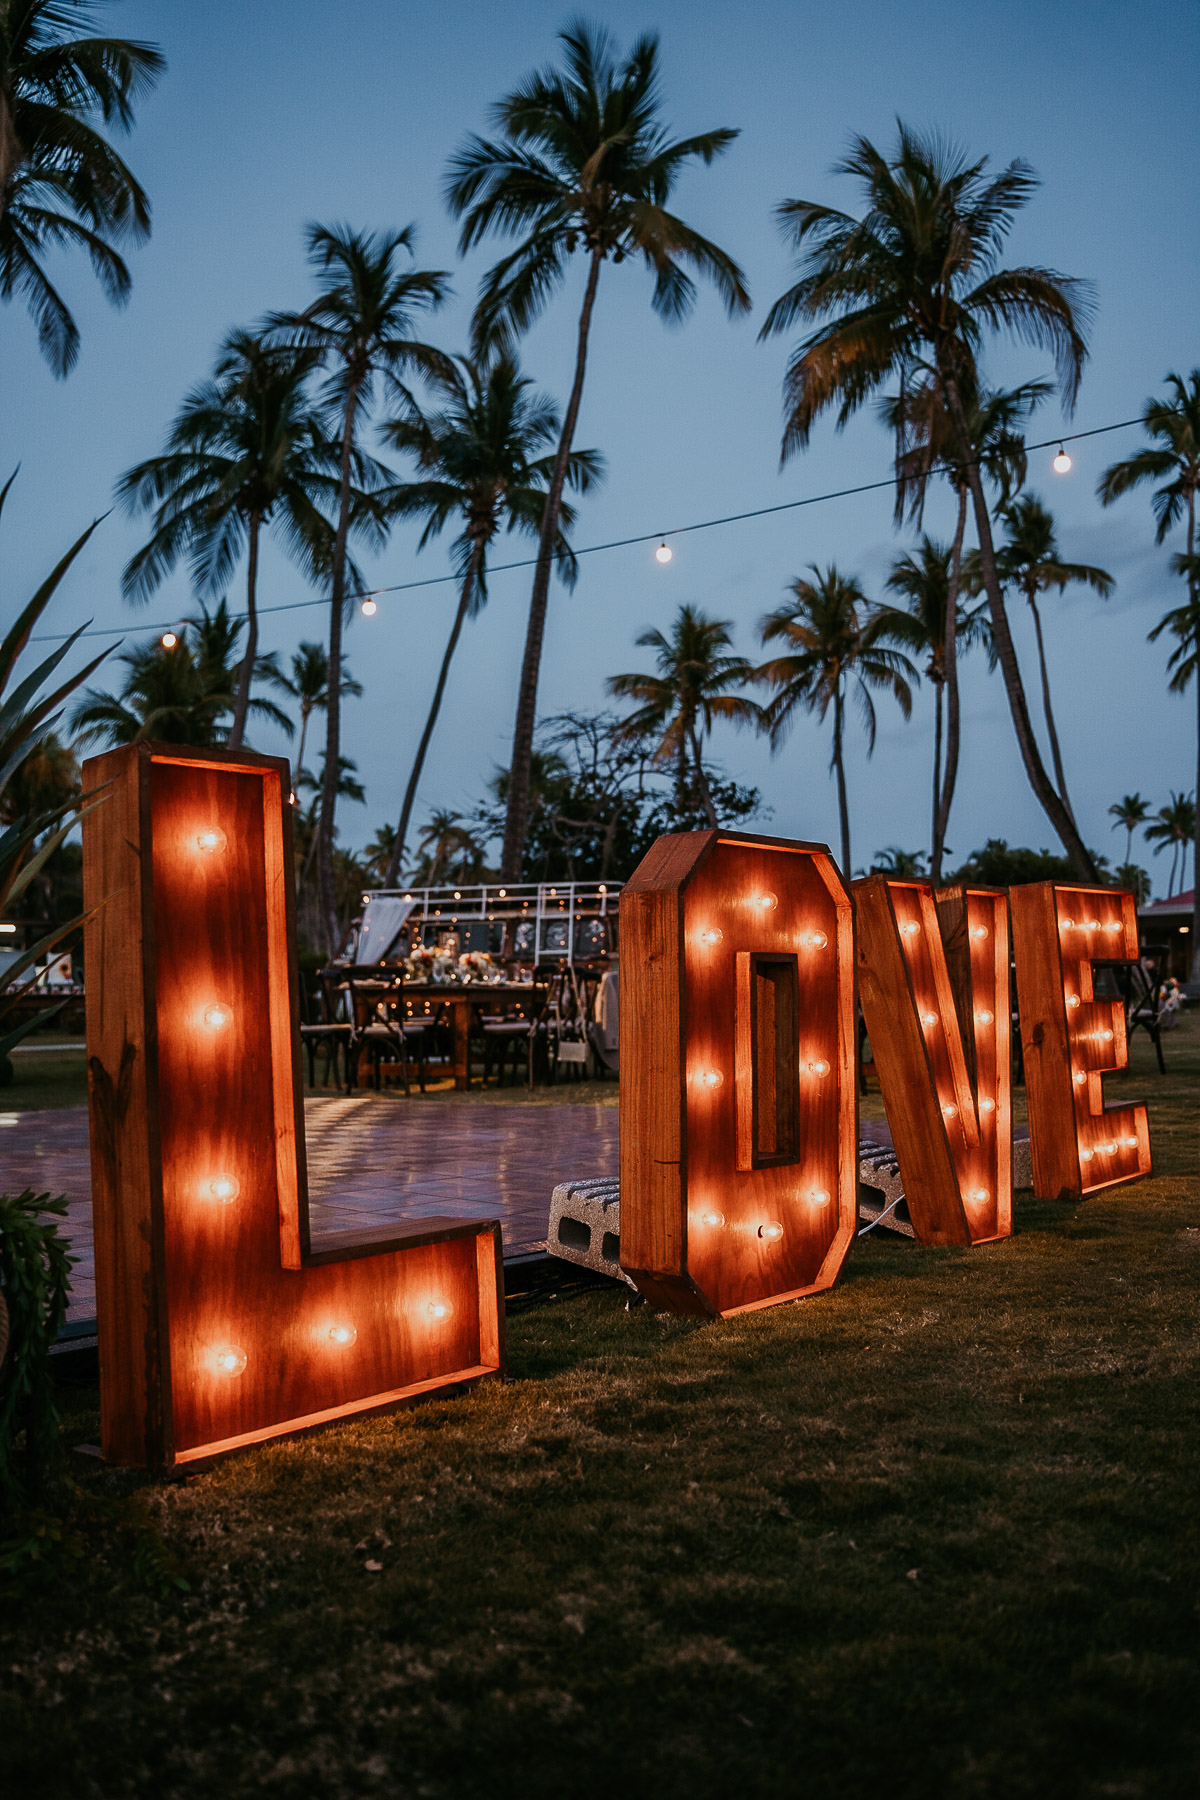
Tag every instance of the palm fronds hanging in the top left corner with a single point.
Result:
(62, 183)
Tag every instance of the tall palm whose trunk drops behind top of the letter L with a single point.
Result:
(246, 451)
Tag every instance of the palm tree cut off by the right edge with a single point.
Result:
(1174, 462)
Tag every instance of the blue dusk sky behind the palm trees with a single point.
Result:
(278, 112)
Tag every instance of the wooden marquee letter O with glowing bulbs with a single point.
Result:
(739, 1102)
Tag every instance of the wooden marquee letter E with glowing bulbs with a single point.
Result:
(1071, 1039)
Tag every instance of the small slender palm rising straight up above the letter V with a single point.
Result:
(926, 582)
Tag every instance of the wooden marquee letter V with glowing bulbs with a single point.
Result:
(935, 989)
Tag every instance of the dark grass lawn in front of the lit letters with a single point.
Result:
(931, 1534)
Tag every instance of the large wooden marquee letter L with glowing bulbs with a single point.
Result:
(219, 1324)
